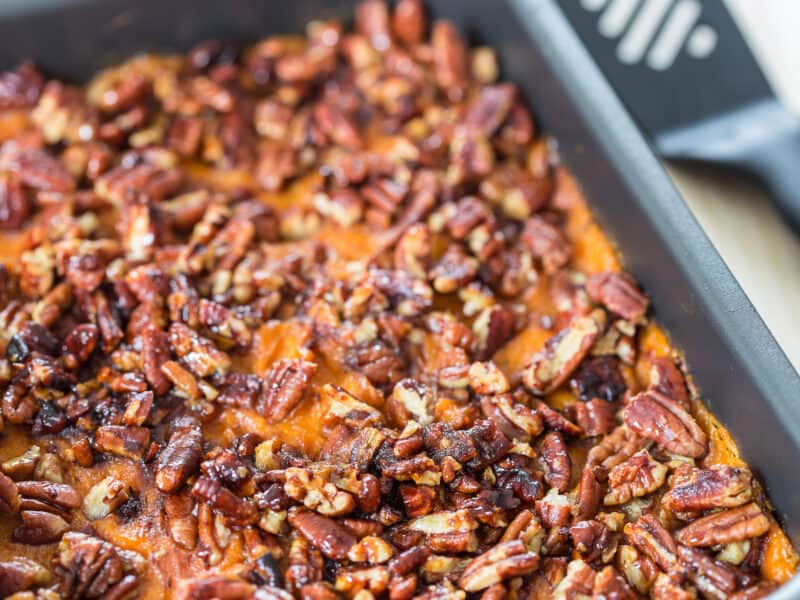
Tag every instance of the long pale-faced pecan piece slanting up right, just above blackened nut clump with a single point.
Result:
(562, 353)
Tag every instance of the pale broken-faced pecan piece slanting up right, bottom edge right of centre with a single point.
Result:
(504, 561)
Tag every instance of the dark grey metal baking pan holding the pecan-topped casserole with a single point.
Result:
(744, 376)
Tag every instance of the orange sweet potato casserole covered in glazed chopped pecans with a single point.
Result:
(323, 317)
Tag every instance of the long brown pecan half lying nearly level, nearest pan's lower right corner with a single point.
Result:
(732, 525)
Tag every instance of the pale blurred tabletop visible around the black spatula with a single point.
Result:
(762, 252)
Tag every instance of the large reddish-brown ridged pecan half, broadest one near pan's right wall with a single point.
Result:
(662, 420)
